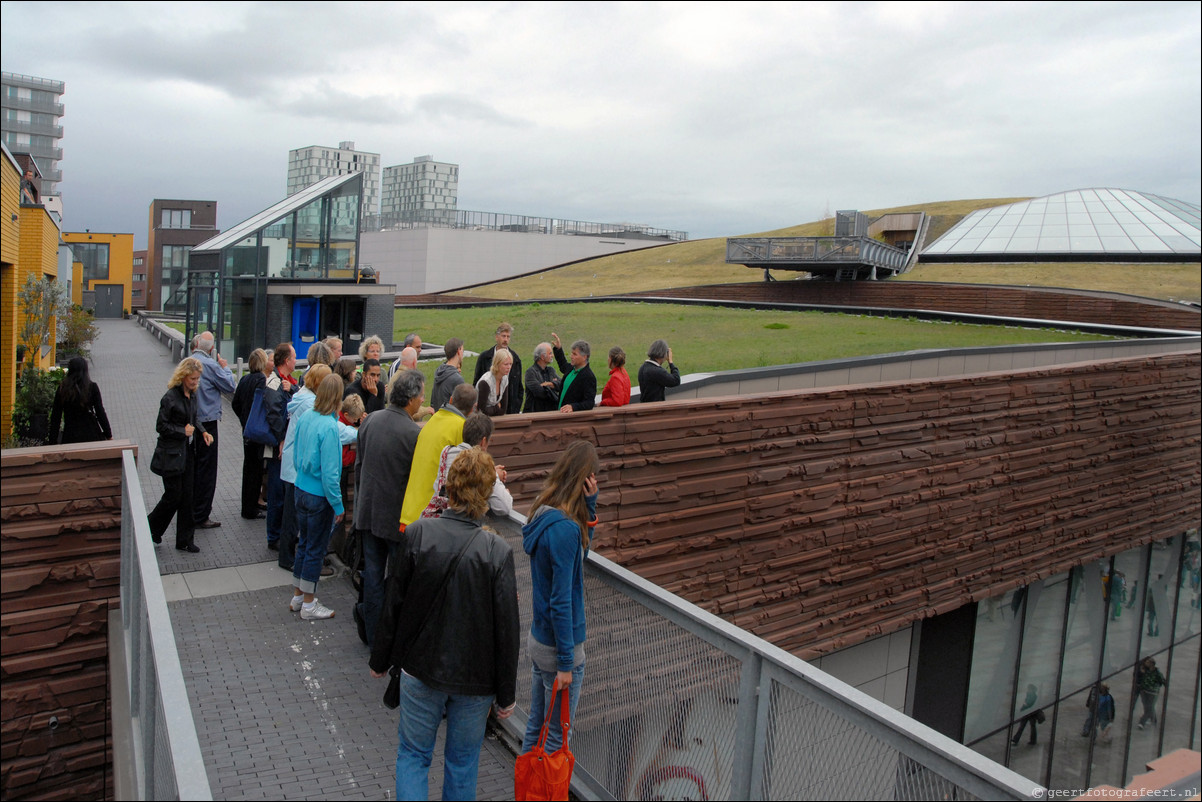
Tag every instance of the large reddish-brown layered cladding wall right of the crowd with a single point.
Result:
(822, 519)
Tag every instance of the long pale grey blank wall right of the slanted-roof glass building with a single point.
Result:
(433, 260)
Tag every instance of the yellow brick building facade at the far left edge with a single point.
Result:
(31, 247)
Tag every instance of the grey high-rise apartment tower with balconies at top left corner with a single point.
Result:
(33, 109)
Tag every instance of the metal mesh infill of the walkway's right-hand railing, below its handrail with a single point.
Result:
(659, 715)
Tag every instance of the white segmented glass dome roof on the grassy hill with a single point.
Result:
(1103, 222)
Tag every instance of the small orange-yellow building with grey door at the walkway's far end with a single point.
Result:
(102, 271)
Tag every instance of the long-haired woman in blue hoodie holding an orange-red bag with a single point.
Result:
(558, 537)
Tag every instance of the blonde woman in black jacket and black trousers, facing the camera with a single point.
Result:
(175, 455)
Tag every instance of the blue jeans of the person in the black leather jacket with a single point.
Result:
(421, 712)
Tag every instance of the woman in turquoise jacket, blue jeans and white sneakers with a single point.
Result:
(318, 460)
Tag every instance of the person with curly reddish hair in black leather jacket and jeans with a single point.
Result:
(450, 626)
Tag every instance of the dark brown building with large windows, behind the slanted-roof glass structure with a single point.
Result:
(176, 227)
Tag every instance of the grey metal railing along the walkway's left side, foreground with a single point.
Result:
(166, 753)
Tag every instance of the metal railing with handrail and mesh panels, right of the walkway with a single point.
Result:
(681, 704)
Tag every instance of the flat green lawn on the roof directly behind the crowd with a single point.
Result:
(703, 338)
